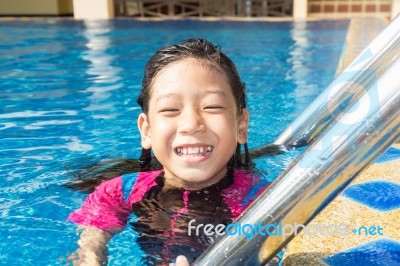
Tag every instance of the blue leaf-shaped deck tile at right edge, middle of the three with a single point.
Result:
(379, 195)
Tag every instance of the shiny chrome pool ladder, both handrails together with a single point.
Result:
(353, 121)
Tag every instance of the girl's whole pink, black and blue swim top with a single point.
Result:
(163, 216)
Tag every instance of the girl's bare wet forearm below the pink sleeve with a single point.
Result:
(92, 247)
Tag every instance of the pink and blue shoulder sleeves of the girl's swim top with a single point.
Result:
(110, 204)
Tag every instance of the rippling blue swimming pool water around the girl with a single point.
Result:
(68, 98)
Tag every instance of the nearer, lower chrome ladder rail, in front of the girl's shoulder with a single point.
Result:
(350, 143)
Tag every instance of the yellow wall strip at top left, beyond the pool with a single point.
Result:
(36, 7)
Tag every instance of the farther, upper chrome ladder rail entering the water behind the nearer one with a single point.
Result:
(347, 88)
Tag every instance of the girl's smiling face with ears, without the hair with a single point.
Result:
(193, 125)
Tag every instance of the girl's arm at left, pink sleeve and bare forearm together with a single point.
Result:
(103, 214)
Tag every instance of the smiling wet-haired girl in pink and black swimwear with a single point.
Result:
(194, 120)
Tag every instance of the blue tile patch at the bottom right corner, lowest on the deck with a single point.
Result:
(383, 252)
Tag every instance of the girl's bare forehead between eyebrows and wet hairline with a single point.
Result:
(190, 75)
